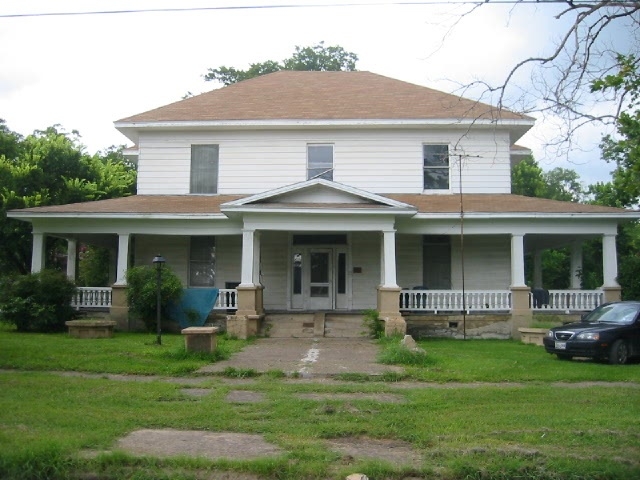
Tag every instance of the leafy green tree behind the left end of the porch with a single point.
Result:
(50, 167)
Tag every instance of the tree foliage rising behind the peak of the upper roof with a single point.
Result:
(317, 58)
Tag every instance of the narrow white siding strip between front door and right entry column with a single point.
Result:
(365, 253)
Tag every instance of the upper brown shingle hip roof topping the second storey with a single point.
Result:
(292, 95)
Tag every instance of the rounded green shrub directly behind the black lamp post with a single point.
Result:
(142, 292)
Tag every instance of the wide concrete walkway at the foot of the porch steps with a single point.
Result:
(307, 357)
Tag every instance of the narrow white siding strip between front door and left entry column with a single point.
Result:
(273, 268)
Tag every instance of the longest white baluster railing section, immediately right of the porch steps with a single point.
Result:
(452, 300)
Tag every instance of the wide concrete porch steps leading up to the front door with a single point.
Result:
(309, 325)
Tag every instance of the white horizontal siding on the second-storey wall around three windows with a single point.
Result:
(381, 161)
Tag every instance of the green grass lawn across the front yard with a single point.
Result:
(529, 429)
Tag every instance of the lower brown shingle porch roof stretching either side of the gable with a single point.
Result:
(210, 204)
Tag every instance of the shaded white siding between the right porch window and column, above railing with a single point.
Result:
(487, 262)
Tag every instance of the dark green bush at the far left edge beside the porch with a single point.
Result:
(37, 302)
